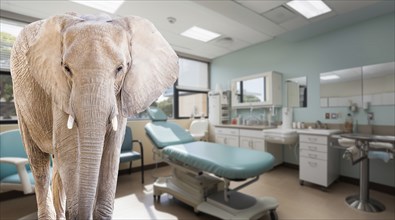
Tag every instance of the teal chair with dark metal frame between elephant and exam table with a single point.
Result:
(129, 155)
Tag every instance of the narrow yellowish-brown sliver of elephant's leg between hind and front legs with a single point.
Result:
(59, 196)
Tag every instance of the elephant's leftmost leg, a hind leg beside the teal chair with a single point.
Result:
(40, 165)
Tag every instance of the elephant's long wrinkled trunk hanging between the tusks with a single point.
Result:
(93, 108)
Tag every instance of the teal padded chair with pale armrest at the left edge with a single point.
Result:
(15, 173)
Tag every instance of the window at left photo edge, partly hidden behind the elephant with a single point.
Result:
(9, 31)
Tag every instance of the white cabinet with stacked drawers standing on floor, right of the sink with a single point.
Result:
(319, 163)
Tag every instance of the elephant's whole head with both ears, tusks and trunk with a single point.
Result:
(96, 69)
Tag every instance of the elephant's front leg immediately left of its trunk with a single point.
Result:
(67, 161)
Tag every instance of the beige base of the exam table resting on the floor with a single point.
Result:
(193, 190)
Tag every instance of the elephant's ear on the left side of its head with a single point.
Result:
(44, 58)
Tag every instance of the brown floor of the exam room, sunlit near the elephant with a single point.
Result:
(135, 201)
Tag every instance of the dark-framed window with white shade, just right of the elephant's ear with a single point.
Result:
(192, 87)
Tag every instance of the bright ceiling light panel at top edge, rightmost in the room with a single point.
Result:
(309, 8)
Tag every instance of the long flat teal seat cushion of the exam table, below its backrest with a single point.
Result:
(229, 162)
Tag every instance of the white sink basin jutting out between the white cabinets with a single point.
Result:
(280, 136)
